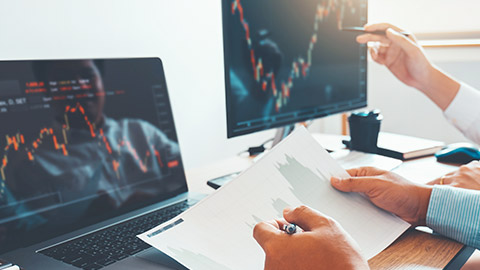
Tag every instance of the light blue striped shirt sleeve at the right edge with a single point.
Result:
(455, 213)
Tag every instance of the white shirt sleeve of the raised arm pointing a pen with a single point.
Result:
(464, 112)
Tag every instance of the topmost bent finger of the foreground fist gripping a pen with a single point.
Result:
(305, 217)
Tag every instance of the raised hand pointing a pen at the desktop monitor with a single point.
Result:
(406, 59)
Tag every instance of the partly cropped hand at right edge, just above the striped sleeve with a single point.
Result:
(468, 177)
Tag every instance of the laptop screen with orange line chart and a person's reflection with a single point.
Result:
(82, 141)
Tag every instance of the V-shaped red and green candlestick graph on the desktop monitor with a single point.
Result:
(301, 65)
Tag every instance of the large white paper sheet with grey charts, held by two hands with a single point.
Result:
(217, 232)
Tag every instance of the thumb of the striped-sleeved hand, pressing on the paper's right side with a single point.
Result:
(356, 184)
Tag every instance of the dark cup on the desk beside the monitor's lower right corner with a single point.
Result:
(364, 129)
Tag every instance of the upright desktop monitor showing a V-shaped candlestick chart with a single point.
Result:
(288, 61)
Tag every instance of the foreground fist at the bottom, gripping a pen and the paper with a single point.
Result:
(323, 244)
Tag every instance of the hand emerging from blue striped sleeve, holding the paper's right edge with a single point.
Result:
(389, 191)
